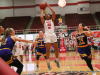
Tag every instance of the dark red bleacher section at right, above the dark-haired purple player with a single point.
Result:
(72, 20)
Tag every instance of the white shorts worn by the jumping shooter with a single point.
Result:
(50, 38)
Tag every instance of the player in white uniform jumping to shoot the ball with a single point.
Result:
(50, 36)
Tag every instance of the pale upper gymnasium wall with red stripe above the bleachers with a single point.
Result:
(9, 8)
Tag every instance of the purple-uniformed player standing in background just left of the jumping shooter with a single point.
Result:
(41, 49)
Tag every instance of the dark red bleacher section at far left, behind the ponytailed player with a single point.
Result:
(16, 23)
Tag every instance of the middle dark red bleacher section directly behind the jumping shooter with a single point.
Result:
(37, 22)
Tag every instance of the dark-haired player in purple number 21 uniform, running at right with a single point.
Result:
(83, 48)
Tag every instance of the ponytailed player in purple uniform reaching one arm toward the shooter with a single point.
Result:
(7, 43)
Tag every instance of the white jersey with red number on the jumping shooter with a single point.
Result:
(49, 26)
